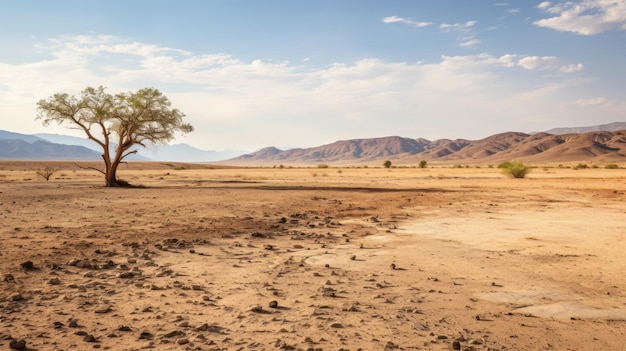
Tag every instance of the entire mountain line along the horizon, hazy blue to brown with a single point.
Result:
(603, 143)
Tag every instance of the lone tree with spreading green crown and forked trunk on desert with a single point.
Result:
(116, 122)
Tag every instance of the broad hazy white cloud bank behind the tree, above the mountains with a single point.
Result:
(237, 104)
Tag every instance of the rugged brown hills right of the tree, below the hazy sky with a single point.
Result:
(599, 146)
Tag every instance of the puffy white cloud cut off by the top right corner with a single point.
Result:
(587, 17)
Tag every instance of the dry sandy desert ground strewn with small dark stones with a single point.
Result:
(215, 258)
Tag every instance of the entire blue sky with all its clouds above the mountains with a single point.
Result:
(250, 74)
